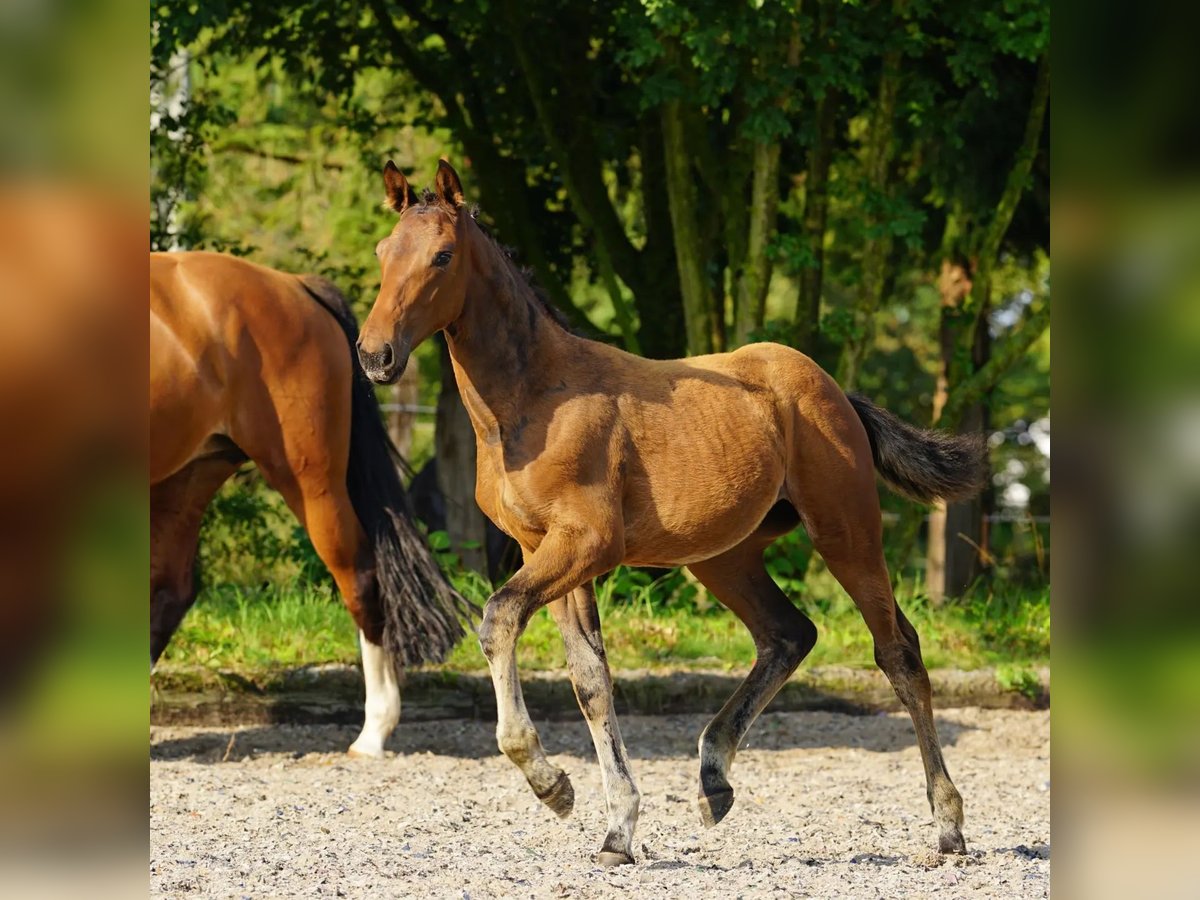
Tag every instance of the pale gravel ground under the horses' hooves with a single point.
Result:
(827, 806)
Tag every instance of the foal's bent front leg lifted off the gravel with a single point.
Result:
(563, 561)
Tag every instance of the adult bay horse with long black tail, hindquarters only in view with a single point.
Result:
(253, 364)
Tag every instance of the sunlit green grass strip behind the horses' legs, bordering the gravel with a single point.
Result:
(256, 629)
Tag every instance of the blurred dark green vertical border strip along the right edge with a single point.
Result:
(1127, 473)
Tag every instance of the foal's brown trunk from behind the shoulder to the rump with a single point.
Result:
(705, 447)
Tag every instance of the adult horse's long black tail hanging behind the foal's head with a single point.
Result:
(422, 613)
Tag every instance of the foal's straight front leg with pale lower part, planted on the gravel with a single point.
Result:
(579, 621)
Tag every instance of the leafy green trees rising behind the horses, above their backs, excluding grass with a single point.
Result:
(866, 181)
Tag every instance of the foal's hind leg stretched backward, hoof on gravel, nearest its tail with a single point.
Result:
(845, 525)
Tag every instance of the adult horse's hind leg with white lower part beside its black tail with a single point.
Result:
(320, 500)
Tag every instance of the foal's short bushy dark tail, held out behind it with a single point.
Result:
(921, 464)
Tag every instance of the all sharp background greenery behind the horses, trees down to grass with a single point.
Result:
(866, 182)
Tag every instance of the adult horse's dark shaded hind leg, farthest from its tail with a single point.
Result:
(177, 507)
